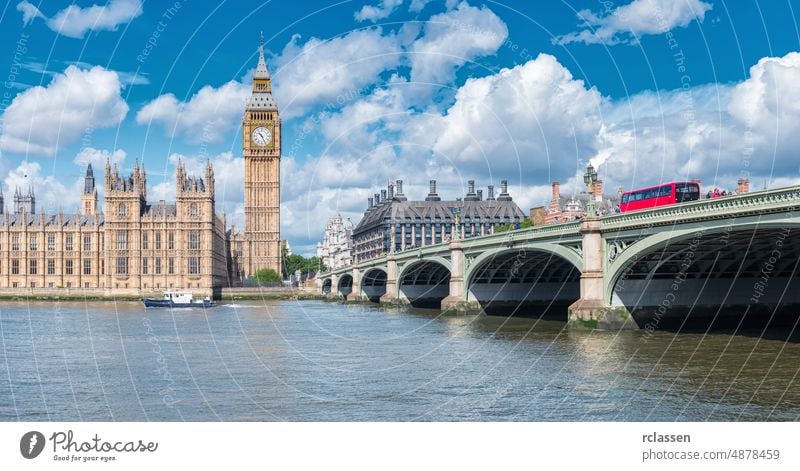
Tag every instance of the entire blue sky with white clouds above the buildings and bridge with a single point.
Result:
(378, 90)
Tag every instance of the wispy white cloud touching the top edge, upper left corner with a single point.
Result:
(74, 21)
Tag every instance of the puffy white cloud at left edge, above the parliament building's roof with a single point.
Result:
(41, 120)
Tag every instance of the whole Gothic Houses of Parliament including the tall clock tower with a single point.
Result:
(135, 245)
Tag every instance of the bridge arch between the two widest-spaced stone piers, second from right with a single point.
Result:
(539, 280)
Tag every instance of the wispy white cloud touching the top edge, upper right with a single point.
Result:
(628, 22)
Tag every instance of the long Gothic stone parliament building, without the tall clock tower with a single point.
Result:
(132, 246)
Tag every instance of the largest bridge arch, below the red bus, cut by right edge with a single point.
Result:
(717, 274)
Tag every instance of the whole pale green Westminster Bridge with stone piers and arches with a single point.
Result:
(720, 261)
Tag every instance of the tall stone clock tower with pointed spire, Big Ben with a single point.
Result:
(261, 143)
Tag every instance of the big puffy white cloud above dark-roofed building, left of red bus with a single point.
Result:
(535, 117)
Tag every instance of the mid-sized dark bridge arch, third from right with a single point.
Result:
(424, 283)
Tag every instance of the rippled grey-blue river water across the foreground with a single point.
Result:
(302, 361)
